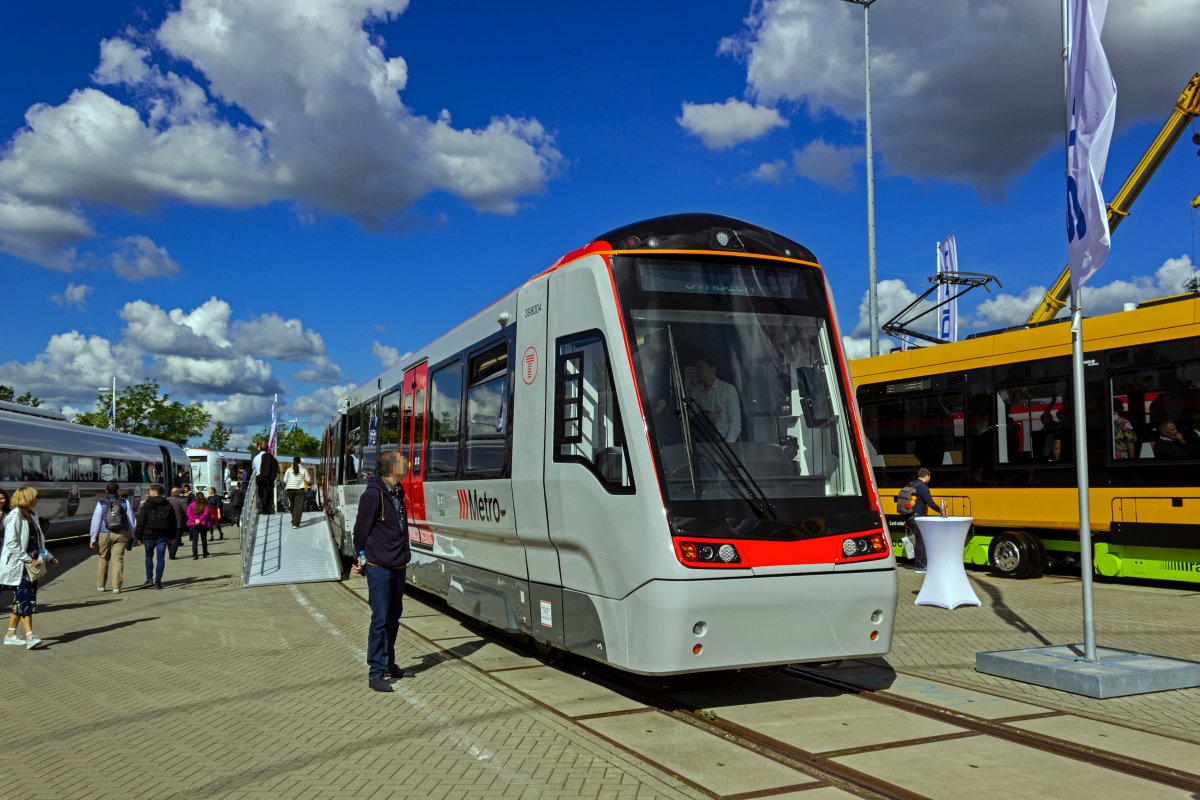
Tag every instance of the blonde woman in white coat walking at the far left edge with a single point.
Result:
(23, 544)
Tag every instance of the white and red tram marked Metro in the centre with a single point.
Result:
(649, 455)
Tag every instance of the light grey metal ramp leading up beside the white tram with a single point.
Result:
(280, 554)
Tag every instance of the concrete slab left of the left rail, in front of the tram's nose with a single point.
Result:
(715, 765)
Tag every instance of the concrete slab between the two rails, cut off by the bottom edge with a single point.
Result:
(981, 767)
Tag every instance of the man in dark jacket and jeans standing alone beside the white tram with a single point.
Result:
(381, 539)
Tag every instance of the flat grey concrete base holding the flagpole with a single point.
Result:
(1115, 673)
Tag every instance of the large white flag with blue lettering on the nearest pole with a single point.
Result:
(1093, 100)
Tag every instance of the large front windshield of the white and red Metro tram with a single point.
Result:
(742, 393)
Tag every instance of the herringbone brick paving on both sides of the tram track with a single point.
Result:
(207, 690)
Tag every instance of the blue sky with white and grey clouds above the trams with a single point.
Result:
(239, 199)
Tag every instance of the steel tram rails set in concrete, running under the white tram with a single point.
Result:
(820, 766)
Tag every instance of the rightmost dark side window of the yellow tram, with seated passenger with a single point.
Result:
(1155, 414)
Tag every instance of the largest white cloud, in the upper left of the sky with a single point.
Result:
(293, 77)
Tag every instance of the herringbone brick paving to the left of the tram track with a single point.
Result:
(207, 690)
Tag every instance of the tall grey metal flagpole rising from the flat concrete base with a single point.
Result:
(1077, 371)
